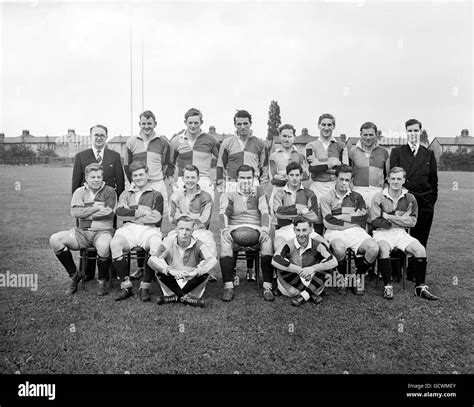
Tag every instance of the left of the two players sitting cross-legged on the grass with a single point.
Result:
(182, 265)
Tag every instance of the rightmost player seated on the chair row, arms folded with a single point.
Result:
(393, 210)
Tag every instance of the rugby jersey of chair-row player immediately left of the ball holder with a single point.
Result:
(198, 206)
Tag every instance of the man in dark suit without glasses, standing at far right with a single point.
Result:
(421, 179)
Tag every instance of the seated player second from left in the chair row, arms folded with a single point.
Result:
(140, 208)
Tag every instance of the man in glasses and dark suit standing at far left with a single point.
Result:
(112, 170)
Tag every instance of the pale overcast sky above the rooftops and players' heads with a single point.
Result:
(67, 65)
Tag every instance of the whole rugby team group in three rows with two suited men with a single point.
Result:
(364, 199)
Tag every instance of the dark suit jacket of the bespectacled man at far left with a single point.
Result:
(111, 162)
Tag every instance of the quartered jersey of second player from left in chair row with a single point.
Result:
(131, 199)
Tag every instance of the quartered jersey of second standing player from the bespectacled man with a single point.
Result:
(199, 154)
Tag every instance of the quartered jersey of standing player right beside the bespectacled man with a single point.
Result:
(157, 156)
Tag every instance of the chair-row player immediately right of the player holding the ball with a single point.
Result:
(291, 201)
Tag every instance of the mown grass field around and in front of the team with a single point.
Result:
(44, 331)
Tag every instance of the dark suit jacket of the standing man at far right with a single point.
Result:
(422, 173)
